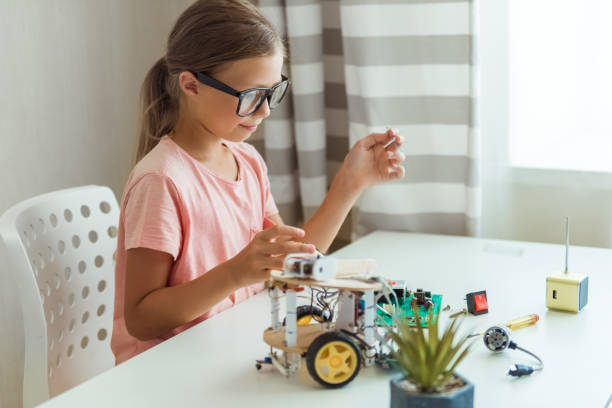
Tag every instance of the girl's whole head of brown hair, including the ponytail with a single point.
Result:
(208, 34)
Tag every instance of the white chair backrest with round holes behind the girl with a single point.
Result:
(61, 249)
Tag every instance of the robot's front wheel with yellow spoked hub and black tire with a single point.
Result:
(333, 359)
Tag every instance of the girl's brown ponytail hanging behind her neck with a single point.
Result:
(159, 110)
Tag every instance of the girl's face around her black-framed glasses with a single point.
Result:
(216, 110)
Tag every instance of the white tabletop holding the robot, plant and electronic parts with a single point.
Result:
(212, 364)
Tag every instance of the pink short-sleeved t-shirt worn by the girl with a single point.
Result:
(174, 204)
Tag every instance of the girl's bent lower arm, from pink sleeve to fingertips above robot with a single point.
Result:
(152, 308)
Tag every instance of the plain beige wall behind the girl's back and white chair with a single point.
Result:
(70, 72)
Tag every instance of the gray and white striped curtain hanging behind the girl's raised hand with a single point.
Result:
(358, 66)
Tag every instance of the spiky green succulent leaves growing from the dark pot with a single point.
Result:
(429, 361)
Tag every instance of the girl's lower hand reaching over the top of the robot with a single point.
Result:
(267, 251)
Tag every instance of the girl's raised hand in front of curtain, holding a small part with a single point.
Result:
(369, 163)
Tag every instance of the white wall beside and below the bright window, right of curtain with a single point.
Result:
(529, 204)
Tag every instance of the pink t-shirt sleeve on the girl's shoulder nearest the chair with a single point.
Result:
(152, 215)
